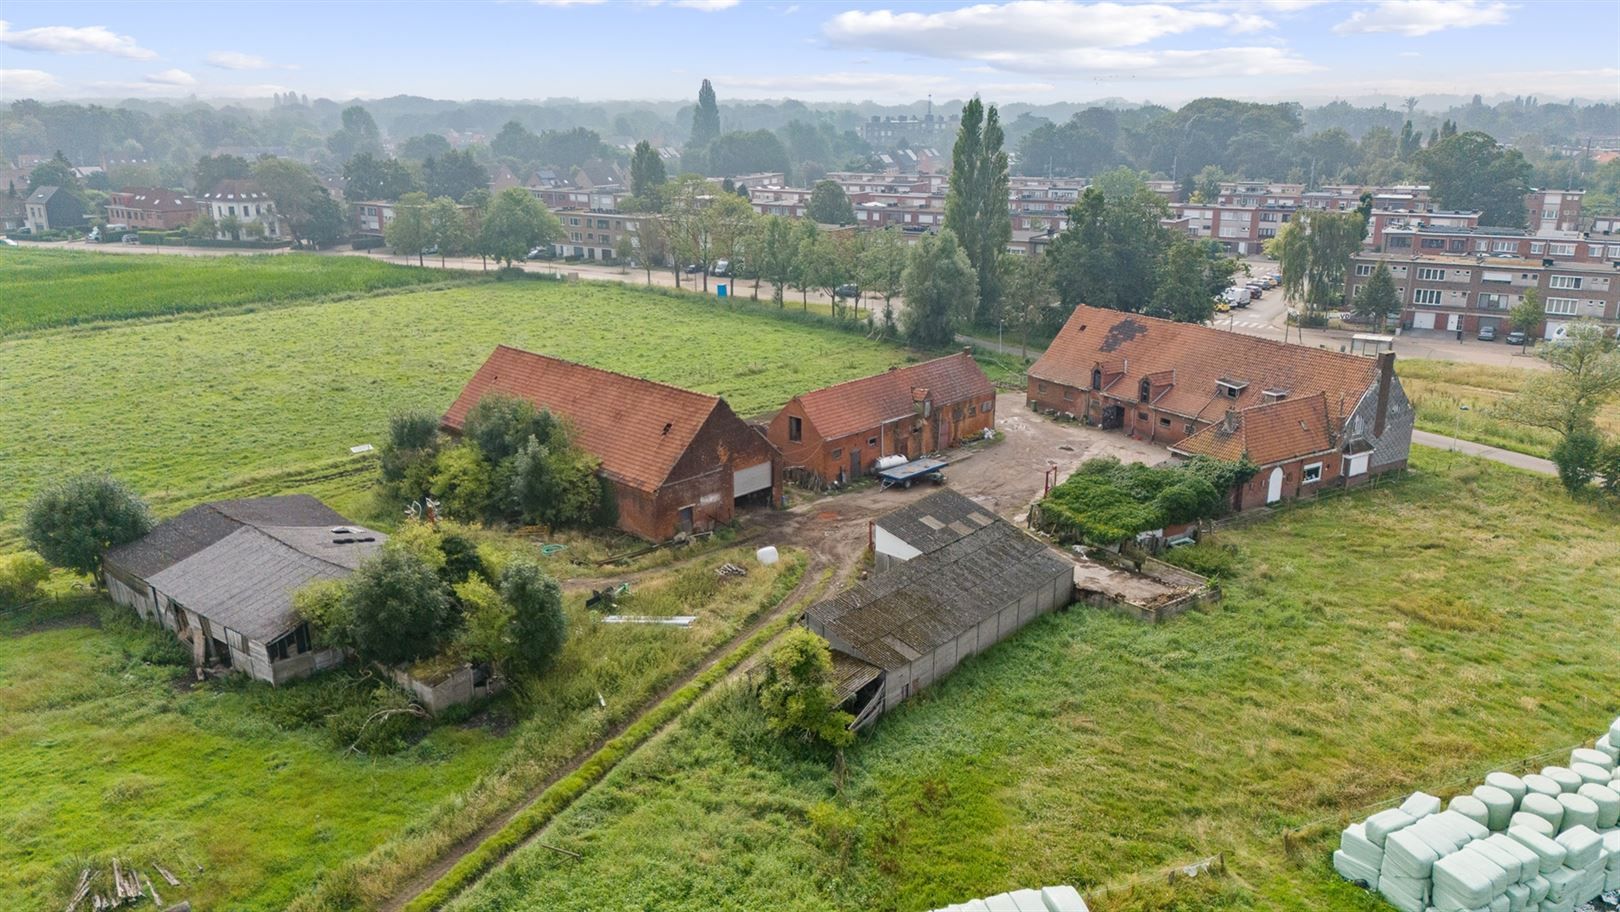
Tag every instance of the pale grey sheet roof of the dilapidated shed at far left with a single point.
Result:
(239, 563)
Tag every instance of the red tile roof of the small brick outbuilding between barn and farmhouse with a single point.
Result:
(859, 406)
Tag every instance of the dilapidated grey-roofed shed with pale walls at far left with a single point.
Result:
(223, 576)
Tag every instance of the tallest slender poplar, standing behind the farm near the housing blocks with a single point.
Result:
(976, 205)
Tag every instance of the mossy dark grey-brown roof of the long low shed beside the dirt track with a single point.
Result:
(895, 618)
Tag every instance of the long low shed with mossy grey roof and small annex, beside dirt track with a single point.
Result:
(953, 581)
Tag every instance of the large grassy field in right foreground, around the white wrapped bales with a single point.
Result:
(1470, 620)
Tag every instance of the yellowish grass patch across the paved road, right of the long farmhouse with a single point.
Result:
(1439, 388)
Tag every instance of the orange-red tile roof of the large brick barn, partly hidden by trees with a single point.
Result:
(637, 428)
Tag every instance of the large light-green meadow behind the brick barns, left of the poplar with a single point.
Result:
(271, 401)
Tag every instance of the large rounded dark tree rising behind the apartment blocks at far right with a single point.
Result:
(1470, 171)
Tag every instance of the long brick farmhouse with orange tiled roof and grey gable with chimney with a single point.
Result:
(1308, 417)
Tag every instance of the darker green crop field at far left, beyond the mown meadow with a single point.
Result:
(46, 289)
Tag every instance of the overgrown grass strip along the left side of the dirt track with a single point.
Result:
(626, 665)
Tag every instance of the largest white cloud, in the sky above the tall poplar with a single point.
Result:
(1025, 27)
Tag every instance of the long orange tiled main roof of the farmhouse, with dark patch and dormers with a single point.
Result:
(1201, 357)
